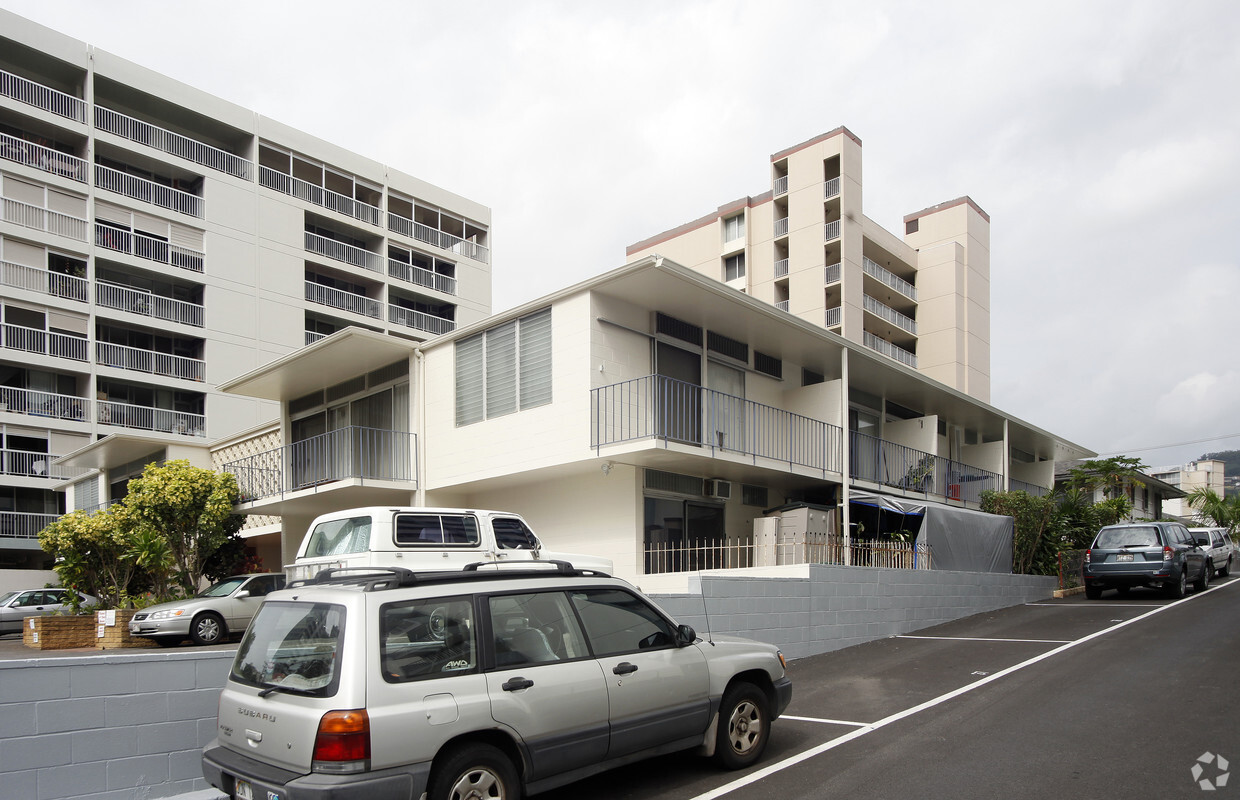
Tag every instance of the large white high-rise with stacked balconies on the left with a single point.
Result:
(157, 241)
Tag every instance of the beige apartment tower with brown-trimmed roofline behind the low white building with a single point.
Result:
(807, 247)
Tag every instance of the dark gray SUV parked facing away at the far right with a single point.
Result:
(1160, 555)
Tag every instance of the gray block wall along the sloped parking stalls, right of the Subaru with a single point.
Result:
(840, 607)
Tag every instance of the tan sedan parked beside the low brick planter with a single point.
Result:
(211, 617)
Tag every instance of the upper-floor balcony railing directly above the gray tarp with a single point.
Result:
(897, 466)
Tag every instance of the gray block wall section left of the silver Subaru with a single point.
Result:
(108, 727)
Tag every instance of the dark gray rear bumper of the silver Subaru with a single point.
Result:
(223, 768)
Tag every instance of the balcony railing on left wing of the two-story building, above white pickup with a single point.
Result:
(352, 453)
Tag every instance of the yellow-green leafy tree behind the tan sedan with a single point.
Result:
(190, 508)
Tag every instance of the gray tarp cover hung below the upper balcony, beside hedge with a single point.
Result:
(959, 539)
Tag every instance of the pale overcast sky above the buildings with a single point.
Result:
(1103, 140)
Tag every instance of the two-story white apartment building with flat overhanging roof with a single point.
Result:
(644, 410)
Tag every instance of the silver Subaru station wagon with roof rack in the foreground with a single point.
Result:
(485, 683)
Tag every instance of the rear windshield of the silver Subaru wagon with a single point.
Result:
(292, 647)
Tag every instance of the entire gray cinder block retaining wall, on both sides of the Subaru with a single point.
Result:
(132, 725)
